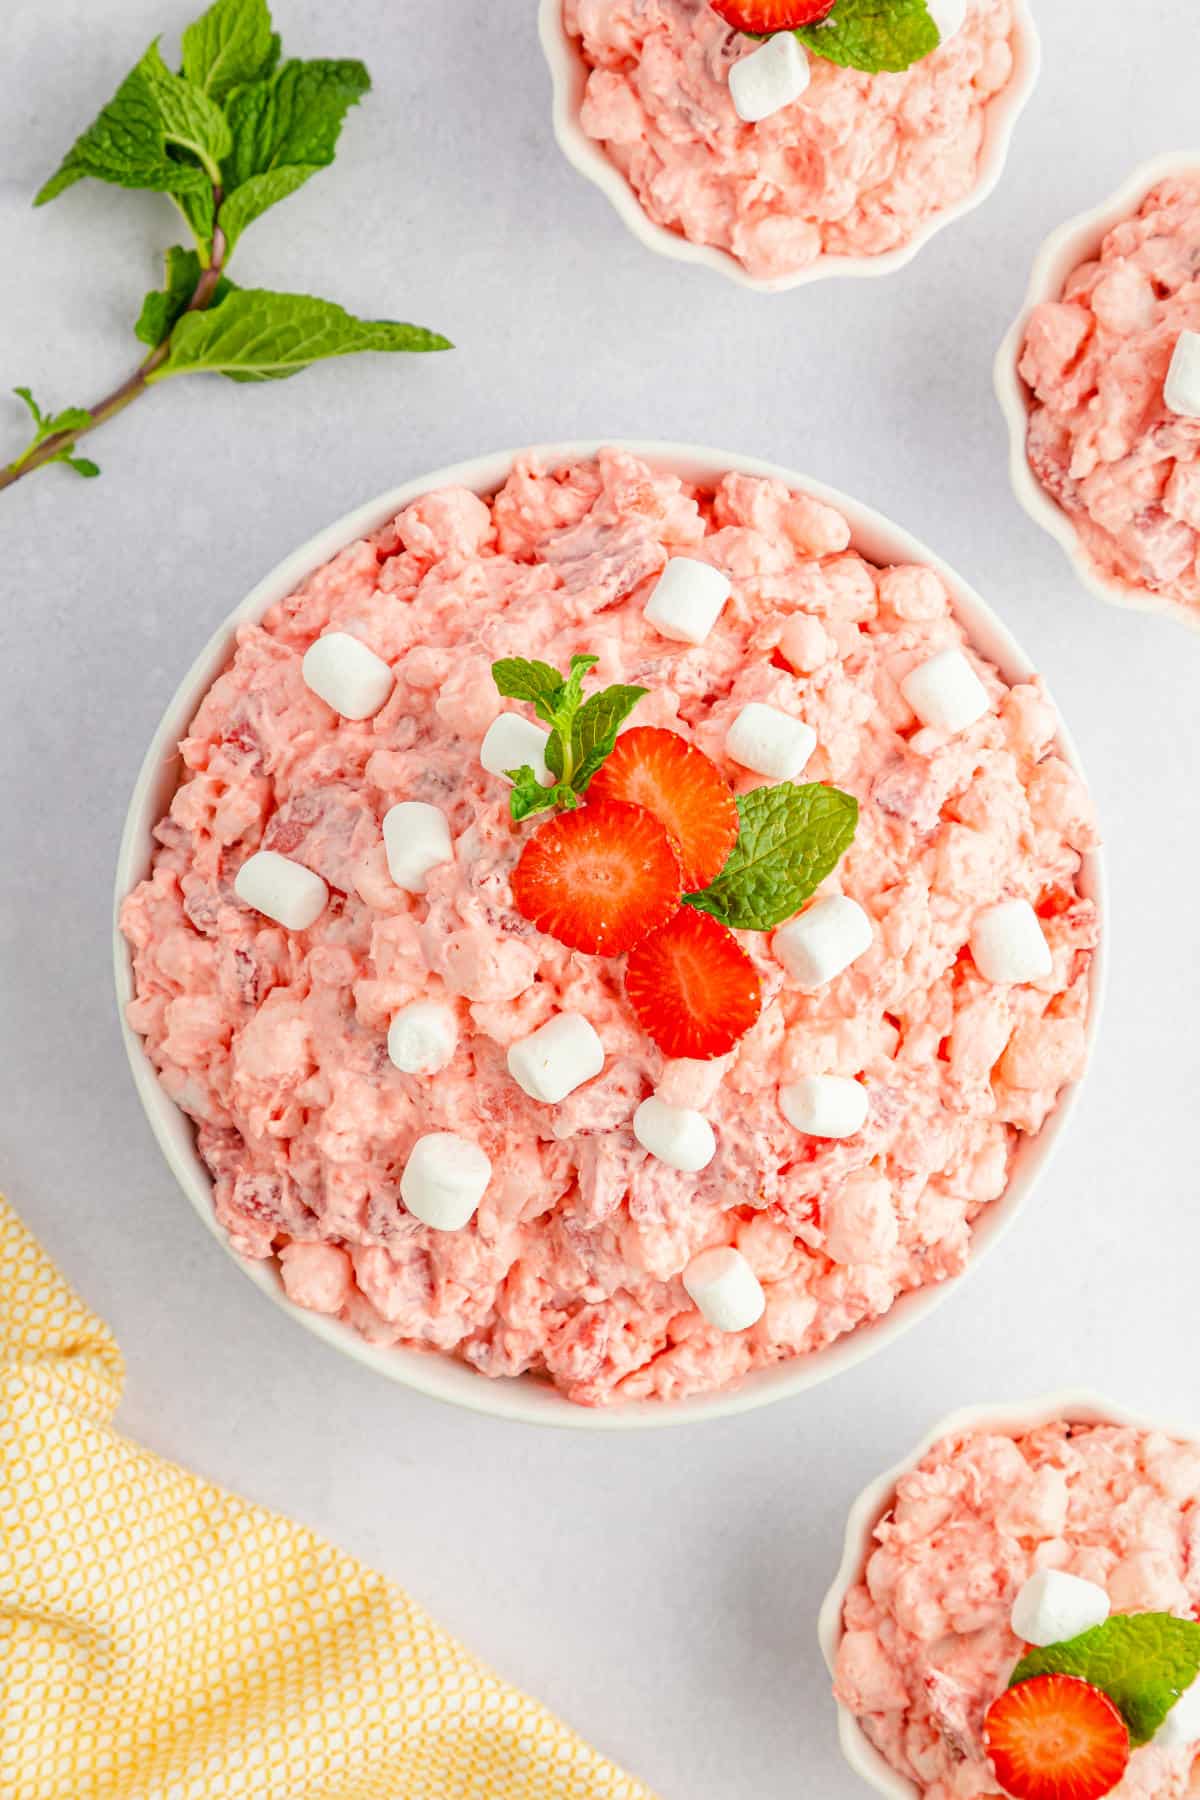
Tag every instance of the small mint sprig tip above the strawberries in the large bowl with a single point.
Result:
(582, 732)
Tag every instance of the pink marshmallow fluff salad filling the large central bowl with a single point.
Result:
(274, 1043)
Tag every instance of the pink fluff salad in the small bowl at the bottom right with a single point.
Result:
(929, 1644)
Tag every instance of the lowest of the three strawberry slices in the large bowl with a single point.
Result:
(694, 987)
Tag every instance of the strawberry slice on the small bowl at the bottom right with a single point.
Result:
(1057, 1738)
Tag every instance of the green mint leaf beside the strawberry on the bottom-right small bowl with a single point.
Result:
(1143, 1662)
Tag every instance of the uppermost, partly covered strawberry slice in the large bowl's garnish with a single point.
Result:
(681, 786)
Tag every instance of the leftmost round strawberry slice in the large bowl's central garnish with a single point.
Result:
(598, 879)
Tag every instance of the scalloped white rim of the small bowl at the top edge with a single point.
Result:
(569, 75)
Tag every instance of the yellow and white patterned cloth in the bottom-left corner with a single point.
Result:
(165, 1641)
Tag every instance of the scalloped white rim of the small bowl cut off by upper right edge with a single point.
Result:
(1062, 253)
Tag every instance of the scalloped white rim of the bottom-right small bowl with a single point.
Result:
(1077, 1407)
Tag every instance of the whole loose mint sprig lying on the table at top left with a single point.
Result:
(228, 138)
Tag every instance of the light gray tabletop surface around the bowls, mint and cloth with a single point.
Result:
(658, 1590)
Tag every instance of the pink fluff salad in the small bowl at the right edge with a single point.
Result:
(1102, 440)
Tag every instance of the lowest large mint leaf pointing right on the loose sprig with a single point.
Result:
(256, 336)
